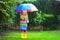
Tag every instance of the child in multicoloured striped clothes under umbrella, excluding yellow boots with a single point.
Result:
(23, 21)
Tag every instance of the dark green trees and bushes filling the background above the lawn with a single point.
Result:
(48, 15)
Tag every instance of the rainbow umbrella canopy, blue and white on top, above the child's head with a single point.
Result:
(27, 7)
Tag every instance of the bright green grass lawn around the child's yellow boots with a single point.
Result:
(46, 35)
